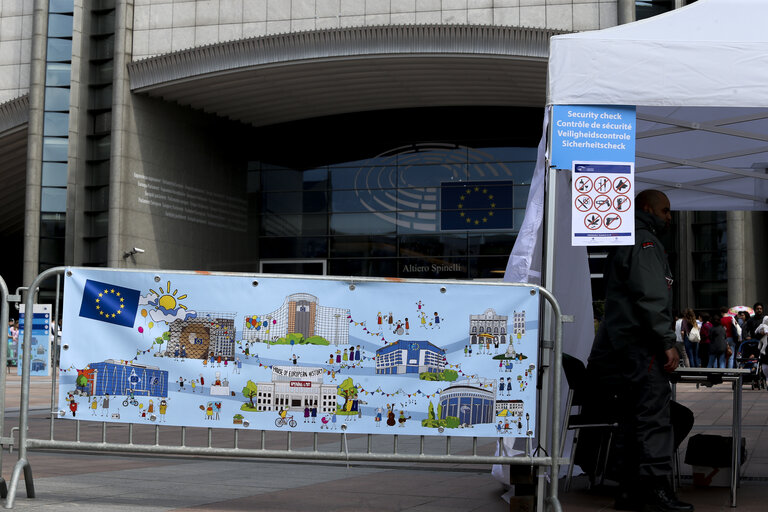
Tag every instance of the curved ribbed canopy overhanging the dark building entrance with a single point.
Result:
(275, 79)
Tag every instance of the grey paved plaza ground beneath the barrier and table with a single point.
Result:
(84, 481)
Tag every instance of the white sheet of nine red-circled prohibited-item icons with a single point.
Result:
(602, 203)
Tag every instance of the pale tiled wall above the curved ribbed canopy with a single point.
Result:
(163, 26)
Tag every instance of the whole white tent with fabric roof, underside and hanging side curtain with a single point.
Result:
(699, 78)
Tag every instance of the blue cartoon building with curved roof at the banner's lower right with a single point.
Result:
(472, 404)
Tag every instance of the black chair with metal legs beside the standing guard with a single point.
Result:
(576, 376)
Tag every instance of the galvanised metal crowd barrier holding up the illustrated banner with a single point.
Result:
(422, 449)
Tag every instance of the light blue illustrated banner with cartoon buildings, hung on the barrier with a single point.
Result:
(299, 353)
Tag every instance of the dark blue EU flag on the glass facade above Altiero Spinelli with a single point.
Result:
(469, 205)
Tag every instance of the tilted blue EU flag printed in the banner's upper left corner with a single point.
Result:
(109, 303)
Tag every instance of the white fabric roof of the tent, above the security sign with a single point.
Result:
(710, 53)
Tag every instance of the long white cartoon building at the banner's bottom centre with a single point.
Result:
(294, 388)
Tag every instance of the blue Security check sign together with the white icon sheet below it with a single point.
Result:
(597, 143)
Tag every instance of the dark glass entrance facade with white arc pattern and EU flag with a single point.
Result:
(426, 210)
